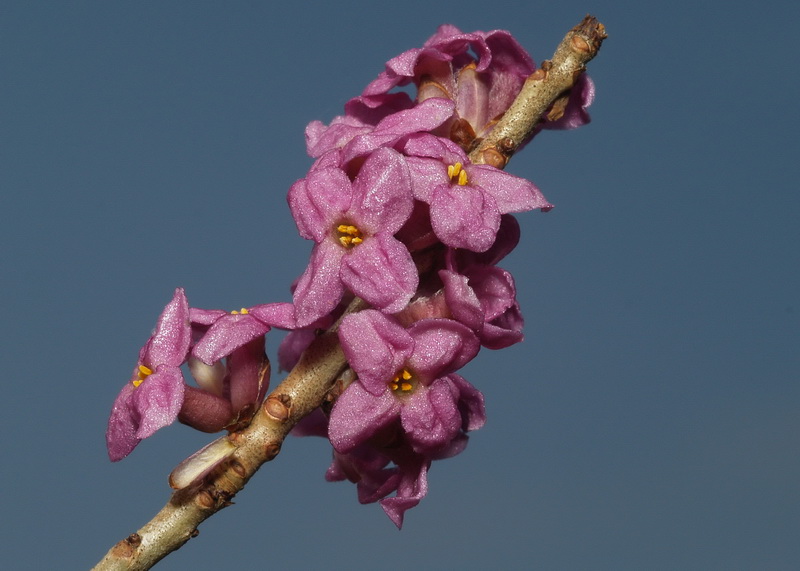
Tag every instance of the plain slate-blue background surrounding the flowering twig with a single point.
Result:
(651, 419)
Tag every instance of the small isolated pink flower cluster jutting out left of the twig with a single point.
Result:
(224, 353)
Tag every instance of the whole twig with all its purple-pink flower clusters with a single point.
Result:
(410, 213)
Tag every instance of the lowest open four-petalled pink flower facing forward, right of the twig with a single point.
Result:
(406, 374)
